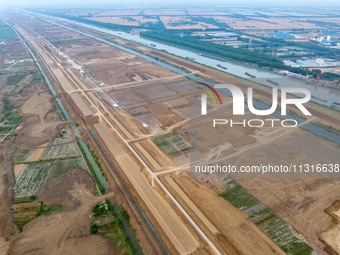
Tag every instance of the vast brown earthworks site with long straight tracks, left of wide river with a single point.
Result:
(136, 112)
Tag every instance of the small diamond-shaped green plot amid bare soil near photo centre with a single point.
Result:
(171, 143)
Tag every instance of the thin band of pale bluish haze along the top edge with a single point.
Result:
(165, 3)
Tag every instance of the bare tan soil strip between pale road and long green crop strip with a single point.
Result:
(238, 232)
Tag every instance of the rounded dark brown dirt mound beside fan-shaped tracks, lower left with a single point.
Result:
(57, 191)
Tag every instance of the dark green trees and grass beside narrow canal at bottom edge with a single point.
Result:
(108, 221)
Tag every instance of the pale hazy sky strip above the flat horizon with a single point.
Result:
(151, 3)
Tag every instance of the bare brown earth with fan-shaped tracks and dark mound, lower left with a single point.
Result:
(66, 232)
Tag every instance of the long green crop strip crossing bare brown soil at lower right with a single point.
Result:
(277, 229)
